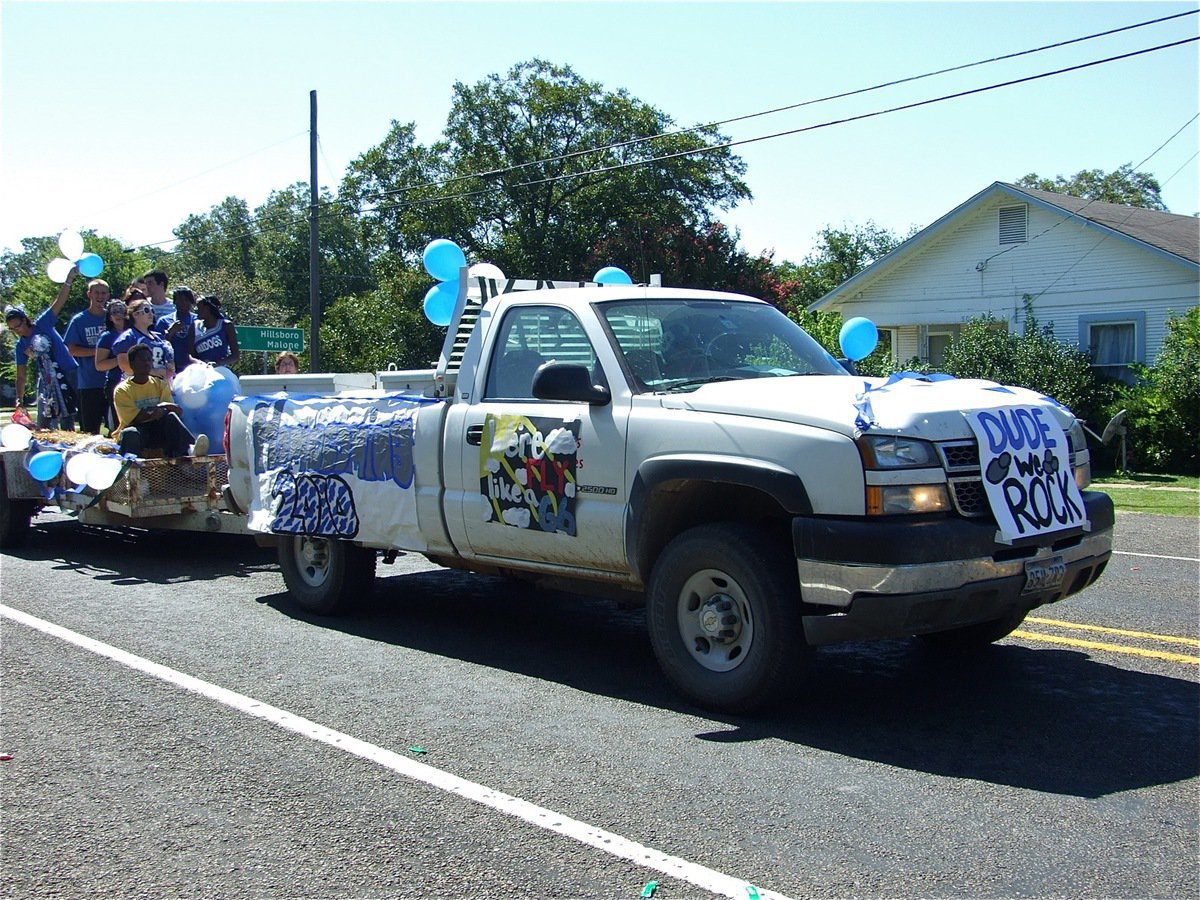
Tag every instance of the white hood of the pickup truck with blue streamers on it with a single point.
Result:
(909, 405)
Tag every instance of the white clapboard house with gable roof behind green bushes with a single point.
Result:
(1106, 277)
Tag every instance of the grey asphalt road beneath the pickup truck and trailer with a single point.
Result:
(1048, 766)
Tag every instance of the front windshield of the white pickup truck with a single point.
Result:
(681, 345)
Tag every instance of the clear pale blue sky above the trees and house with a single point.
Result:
(127, 118)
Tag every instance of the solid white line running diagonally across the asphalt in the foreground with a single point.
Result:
(608, 842)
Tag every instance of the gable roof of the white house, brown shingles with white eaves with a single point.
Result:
(1165, 233)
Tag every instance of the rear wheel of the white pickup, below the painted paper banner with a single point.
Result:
(325, 577)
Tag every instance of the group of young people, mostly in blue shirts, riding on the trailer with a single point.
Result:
(115, 364)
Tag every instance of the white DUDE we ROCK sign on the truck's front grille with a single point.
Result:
(1027, 471)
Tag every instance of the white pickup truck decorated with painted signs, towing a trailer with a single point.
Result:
(694, 452)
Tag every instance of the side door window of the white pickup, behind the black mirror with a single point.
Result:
(530, 337)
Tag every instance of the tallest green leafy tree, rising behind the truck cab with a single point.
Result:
(537, 172)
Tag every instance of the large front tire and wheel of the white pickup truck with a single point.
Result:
(724, 616)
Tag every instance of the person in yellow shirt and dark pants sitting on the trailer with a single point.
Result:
(149, 416)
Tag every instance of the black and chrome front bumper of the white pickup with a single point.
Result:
(893, 578)
